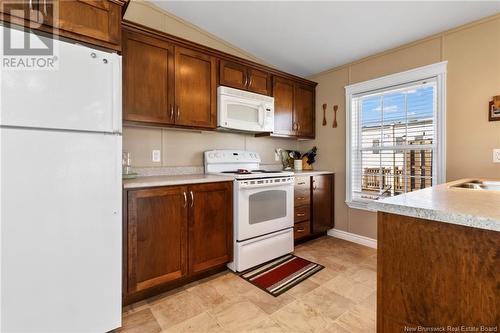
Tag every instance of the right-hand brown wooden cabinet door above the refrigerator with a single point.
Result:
(98, 19)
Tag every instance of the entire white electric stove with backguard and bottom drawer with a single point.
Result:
(263, 207)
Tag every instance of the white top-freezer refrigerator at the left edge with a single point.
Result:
(60, 193)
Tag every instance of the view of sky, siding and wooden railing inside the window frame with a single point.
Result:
(395, 140)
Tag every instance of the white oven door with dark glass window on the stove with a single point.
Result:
(263, 206)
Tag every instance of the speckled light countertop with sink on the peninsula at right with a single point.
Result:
(445, 203)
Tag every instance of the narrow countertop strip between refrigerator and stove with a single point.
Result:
(151, 181)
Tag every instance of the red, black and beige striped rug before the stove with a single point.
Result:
(282, 274)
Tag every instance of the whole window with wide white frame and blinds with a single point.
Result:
(395, 134)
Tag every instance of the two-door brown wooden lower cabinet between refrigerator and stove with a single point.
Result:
(174, 233)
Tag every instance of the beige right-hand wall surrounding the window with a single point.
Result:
(473, 55)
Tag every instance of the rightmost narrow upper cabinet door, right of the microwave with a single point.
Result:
(304, 111)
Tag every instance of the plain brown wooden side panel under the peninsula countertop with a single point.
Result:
(436, 274)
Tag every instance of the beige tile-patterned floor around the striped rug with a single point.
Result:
(340, 298)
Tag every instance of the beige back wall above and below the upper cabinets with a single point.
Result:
(184, 148)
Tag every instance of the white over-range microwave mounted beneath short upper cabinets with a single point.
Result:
(244, 111)
